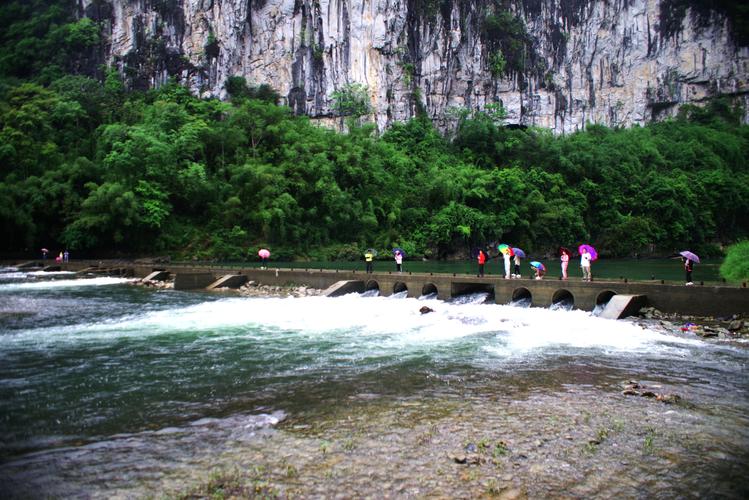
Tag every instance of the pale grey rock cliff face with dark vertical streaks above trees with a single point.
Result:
(552, 63)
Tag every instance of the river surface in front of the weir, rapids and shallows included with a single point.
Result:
(112, 390)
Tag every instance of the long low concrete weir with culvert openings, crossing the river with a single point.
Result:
(700, 300)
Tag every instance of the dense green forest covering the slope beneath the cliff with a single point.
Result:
(89, 165)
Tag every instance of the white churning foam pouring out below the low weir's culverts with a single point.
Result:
(371, 325)
